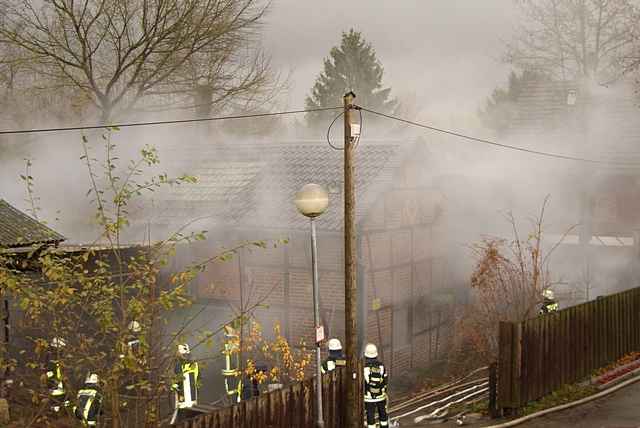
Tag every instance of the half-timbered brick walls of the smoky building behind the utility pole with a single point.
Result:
(402, 271)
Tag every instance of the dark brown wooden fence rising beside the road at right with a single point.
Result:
(539, 355)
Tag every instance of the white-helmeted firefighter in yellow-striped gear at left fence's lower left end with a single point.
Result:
(186, 384)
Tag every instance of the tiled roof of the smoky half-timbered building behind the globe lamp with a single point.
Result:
(254, 185)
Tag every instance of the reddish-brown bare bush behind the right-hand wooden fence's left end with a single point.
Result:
(507, 283)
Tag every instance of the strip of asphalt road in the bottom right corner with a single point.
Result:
(618, 410)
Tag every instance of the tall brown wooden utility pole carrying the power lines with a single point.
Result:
(353, 417)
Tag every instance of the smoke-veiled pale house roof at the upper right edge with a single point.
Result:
(601, 124)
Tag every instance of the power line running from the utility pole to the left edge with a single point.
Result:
(162, 122)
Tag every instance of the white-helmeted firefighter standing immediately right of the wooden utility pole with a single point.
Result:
(375, 387)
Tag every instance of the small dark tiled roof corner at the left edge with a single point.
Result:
(19, 230)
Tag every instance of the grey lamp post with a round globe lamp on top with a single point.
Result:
(312, 200)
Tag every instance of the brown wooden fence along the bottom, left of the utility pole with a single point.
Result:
(289, 407)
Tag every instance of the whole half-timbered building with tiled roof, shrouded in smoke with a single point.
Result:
(246, 192)
